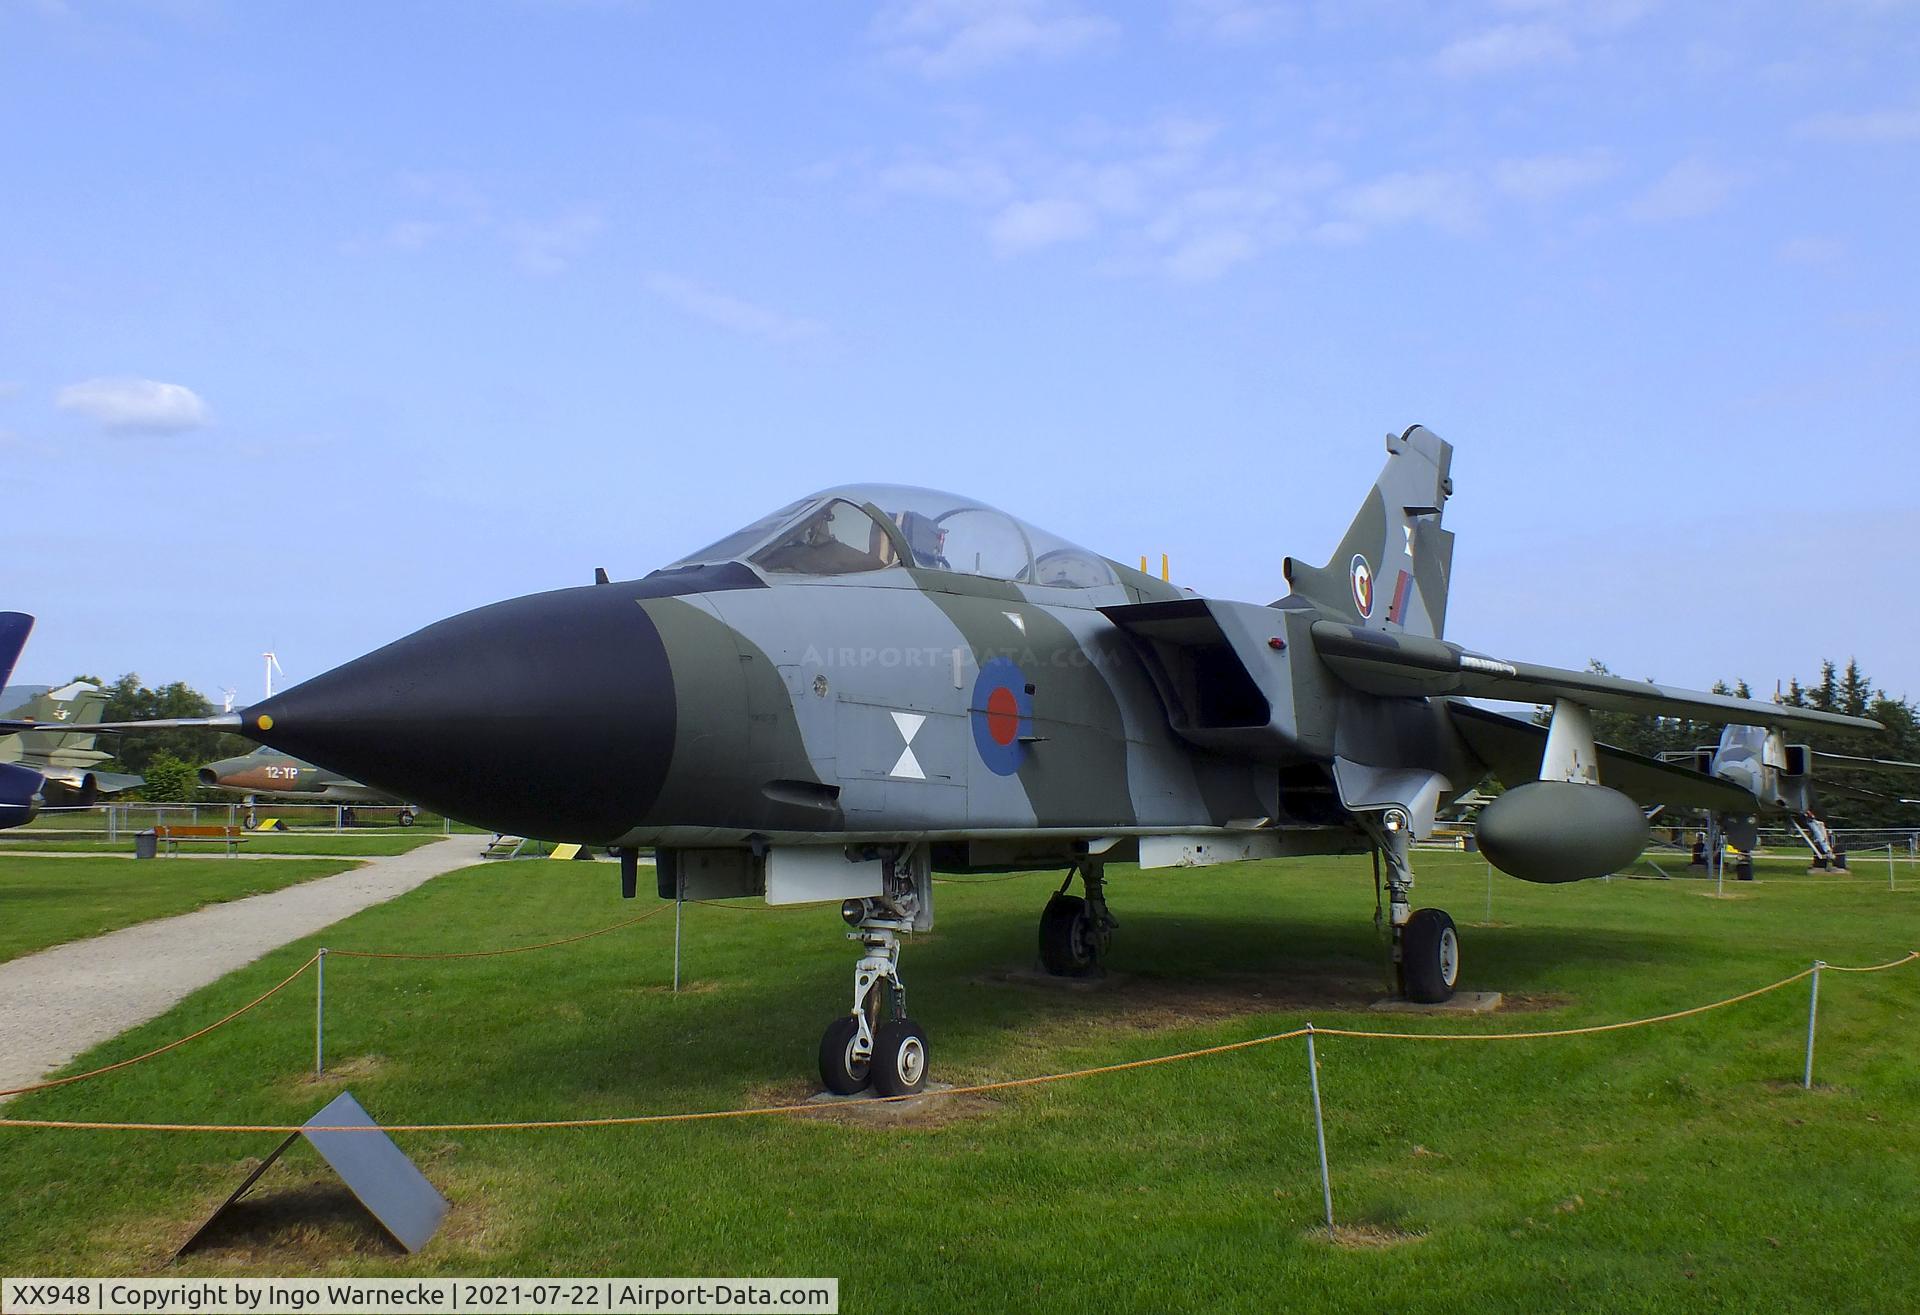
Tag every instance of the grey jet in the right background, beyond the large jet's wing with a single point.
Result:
(1779, 780)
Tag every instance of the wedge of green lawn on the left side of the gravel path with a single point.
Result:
(49, 901)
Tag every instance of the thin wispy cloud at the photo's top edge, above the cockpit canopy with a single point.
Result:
(957, 37)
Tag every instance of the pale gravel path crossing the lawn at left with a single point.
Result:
(62, 1001)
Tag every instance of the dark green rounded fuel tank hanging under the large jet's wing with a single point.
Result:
(1554, 832)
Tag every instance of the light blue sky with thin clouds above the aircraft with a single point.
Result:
(320, 323)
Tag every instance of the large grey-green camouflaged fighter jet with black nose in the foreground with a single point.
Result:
(875, 682)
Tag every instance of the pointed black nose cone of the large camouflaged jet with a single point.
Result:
(550, 717)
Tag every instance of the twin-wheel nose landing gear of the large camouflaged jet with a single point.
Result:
(876, 1043)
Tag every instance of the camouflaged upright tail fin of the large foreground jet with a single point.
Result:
(1391, 571)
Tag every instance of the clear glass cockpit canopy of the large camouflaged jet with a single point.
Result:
(871, 527)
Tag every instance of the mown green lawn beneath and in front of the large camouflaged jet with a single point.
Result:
(1664, 1168)
